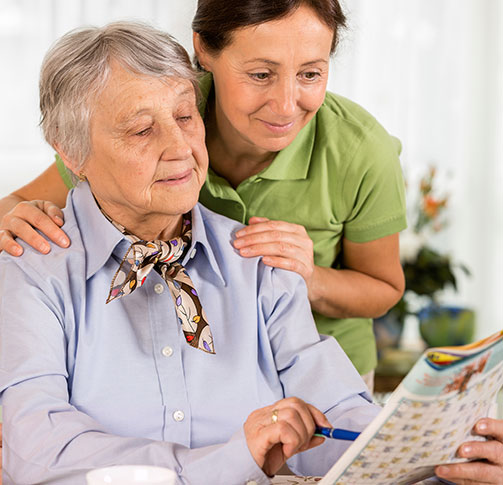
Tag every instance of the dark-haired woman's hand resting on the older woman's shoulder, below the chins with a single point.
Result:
(282, 245)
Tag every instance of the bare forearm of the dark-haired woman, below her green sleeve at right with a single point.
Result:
(345, 293)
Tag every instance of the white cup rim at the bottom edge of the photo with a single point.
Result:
(131, 475)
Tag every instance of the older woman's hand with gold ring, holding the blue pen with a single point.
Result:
(276, 433)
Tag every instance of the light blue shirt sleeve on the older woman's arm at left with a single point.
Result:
(46, 438)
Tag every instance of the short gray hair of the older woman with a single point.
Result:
(77, 67)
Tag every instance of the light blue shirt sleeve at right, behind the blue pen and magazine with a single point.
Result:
(313, 367)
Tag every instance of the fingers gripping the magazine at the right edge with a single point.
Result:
(489, 455)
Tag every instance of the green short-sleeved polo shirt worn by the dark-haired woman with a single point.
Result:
(341, 176)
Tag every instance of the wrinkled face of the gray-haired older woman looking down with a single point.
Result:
(147, 146)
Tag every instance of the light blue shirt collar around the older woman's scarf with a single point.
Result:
(100, 238)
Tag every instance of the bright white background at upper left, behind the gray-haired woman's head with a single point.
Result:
(27, 29)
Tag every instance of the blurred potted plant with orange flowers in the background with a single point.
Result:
(427, 273)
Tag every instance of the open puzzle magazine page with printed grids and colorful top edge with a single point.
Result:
(425, 420)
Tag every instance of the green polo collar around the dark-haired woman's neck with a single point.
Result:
(291, 163)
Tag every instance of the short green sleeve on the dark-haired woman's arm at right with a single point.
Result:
(372, 190)
